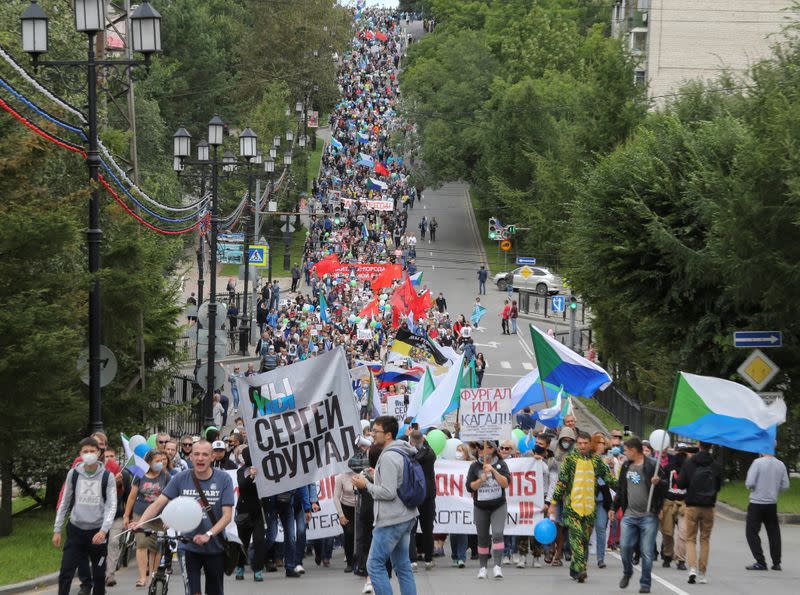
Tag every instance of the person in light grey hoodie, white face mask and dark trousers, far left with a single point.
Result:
(90, 501)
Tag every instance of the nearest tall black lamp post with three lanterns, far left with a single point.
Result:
(145, 36)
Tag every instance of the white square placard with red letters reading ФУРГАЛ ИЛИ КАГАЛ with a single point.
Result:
(485, 414)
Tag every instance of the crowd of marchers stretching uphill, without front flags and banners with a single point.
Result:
(598, 487)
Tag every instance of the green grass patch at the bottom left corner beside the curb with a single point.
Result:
(28, 552)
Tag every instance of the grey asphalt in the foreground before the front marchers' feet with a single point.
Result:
(729, 555)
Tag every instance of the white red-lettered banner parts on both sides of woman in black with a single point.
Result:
(524, 496)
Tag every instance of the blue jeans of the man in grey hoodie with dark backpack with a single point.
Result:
(391, 543)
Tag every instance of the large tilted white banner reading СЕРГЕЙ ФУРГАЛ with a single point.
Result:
(301, 421)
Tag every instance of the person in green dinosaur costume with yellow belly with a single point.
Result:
(576, 488)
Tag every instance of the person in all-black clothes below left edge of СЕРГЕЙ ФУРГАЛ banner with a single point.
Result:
(250, 519)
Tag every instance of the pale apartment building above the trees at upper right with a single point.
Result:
(680, 40)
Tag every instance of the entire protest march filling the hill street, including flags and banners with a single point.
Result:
(366, 423)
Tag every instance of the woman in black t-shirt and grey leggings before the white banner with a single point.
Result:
(487, 481)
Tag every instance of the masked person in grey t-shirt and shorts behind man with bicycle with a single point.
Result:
(144, 491)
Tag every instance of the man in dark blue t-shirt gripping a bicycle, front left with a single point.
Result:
(205, 549)
